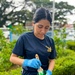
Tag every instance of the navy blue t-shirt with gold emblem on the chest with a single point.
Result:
(28, 45)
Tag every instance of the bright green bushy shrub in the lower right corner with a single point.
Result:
(65, 66)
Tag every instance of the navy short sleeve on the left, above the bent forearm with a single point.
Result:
(19, 47)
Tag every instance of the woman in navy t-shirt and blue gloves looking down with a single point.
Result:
(36, 42)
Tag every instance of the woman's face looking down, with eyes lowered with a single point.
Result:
(40, 28)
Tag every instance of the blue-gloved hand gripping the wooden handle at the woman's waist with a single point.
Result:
(34, 63)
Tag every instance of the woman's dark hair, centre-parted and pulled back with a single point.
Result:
(42, 13)
